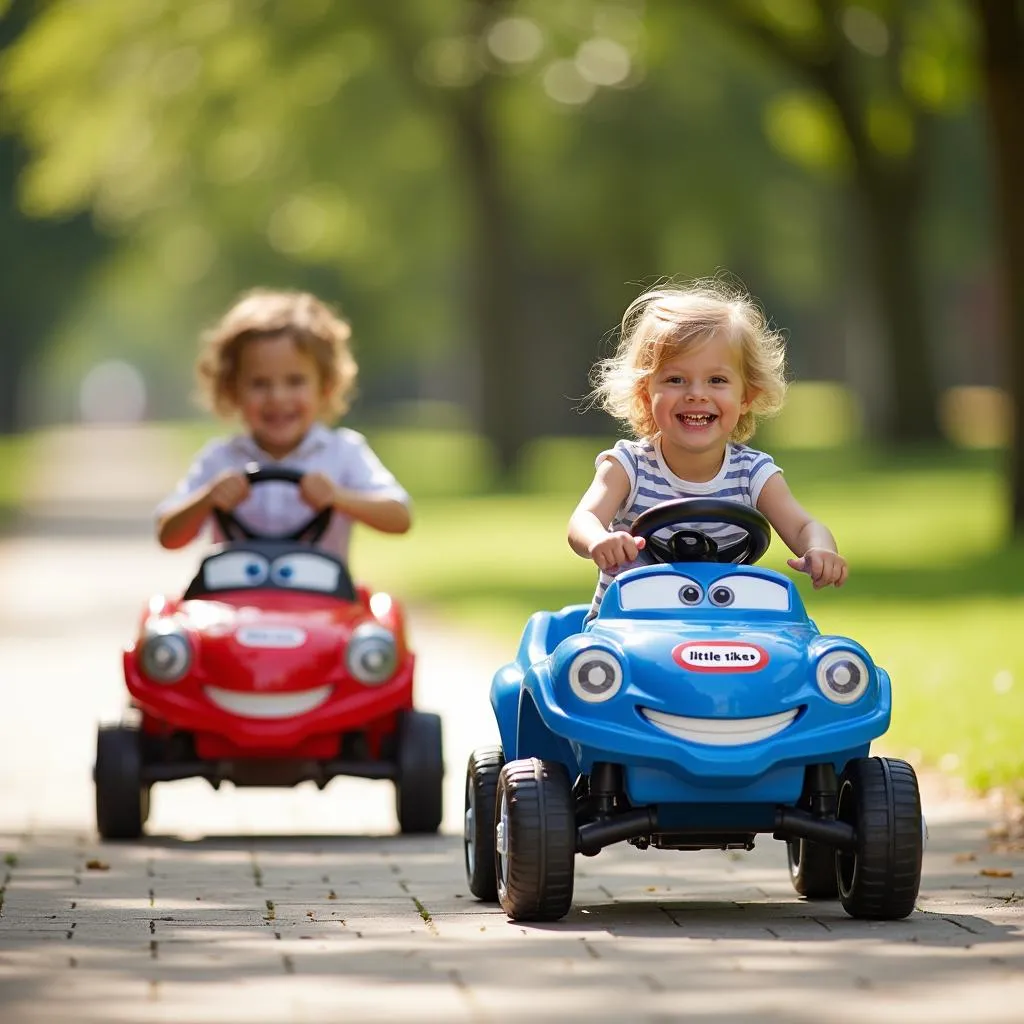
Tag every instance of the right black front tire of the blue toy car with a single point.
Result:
(880, 879)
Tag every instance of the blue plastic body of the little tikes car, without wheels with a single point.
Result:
(752, 670)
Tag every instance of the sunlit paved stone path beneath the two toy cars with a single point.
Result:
(305, 907)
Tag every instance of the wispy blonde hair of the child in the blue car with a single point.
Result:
(667, 321)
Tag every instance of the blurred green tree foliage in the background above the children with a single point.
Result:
(228, 143)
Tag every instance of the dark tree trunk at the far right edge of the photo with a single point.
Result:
(1003, 32)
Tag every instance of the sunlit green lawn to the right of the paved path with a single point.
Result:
(933, 593)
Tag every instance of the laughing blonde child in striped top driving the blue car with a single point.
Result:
(694, 368)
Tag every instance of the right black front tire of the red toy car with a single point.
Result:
(419, 801)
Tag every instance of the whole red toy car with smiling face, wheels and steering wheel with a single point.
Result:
(272, 669)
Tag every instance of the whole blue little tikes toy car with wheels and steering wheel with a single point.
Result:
(701, 708)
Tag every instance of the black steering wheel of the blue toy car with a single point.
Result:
(693, 545)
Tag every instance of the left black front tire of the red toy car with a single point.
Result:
(122, 798)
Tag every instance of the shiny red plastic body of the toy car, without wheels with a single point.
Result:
(270, 677)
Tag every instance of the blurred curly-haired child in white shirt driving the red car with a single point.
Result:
(281, 362)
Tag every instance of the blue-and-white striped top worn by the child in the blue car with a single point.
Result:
(744, 474)
